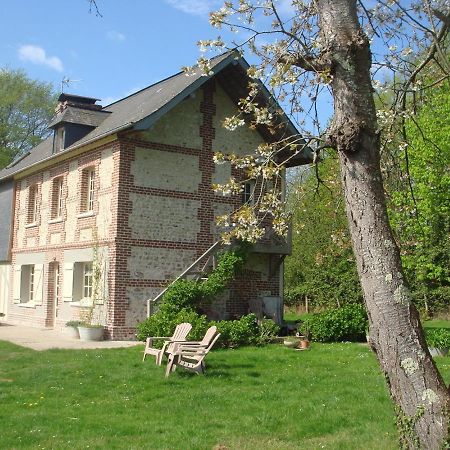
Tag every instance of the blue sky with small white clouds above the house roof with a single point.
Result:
(134, 44)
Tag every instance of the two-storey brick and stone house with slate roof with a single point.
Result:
(126, 190)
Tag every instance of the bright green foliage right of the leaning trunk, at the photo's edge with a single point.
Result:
(422, 222)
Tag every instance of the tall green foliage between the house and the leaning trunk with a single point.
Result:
(322, 265)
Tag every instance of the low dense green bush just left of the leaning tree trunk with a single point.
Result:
(348, 323)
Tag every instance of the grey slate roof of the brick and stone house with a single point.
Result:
(139, 110)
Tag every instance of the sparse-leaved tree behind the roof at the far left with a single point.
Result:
(26, 107)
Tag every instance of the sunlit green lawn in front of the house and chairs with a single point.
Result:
(251, 398)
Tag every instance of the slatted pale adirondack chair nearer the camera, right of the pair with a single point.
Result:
(191, 354)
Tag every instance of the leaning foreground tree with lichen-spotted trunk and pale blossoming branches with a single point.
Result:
(325, 46)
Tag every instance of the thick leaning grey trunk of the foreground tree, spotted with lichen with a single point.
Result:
(417, 389)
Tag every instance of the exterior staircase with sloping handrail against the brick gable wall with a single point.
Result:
(196, 271)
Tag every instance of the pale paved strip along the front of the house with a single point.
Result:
(46, 338)
